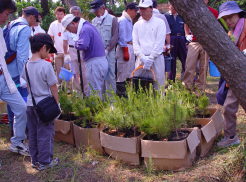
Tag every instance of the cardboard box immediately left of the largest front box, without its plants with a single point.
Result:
(120, 148)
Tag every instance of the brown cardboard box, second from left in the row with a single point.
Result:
(87, 137)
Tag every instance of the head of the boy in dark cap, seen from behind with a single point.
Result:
(42, 44)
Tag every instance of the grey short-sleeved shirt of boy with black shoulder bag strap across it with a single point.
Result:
(42, 77)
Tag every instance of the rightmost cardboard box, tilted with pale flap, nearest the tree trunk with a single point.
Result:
(211, 129)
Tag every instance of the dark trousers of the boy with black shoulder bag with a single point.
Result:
(41, 138)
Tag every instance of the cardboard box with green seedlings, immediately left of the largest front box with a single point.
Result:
(121, 138)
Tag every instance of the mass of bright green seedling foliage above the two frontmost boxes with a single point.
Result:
(150, 111)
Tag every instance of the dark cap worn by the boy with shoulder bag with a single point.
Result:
(45, 39)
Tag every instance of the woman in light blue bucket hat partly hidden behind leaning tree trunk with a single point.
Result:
(236, 22)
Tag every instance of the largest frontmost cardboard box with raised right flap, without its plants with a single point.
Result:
(171, 155)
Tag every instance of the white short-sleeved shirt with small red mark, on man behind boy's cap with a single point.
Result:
(56, 30)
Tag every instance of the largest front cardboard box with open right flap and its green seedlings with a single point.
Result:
(167, 145)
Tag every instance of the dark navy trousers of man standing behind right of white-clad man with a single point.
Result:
(179, 50)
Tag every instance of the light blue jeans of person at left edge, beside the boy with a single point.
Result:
(18, 106)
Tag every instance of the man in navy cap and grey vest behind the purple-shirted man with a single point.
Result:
(107, 25)
